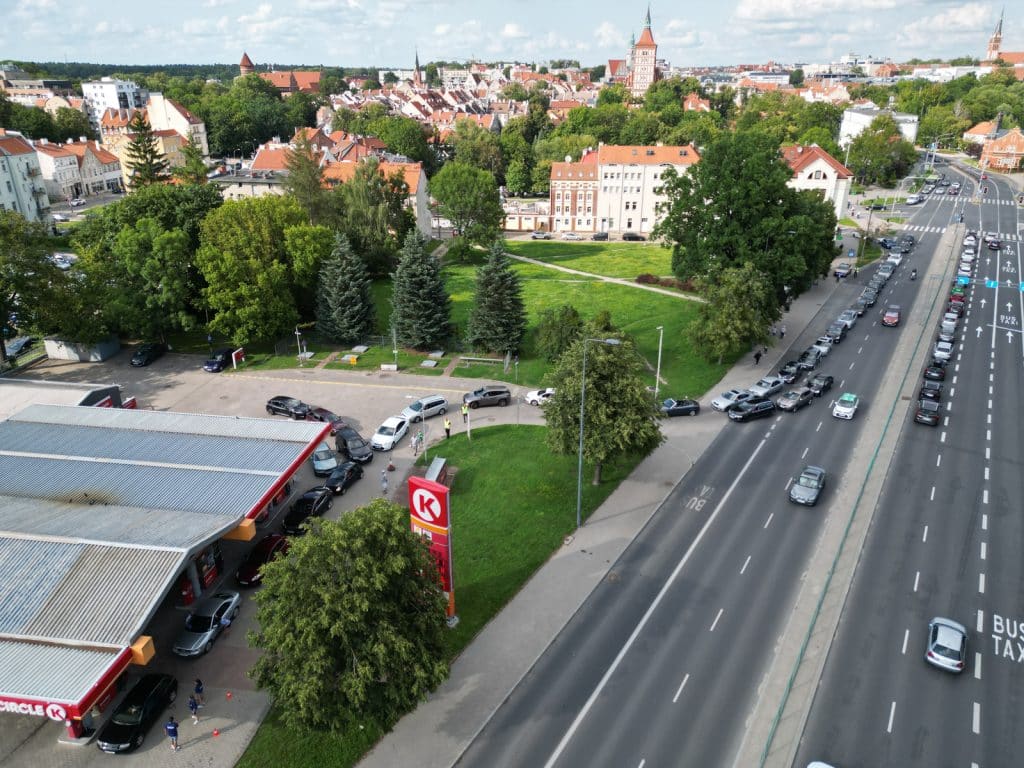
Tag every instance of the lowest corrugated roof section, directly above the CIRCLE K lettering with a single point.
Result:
(51, 672)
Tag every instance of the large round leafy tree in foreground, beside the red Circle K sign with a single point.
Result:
(383, 614)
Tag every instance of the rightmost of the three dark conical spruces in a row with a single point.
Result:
(498, 321)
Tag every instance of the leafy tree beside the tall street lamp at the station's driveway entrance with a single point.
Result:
(620, 416)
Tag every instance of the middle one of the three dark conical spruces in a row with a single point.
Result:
(421, 313)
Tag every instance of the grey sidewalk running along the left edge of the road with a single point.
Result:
(441, 730)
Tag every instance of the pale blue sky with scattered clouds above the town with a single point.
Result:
(387, 33)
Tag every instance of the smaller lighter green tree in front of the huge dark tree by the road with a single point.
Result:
(740, 308)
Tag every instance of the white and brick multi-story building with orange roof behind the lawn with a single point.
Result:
(615, 189)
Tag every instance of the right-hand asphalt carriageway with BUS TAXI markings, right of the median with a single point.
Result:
(946, 542)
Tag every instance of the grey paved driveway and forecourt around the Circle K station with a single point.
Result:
(177, 382)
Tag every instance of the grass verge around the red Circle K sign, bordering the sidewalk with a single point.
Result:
(496, 551)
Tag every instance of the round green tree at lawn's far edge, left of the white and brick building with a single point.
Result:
(468, 198)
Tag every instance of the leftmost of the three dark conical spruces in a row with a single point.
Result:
(345, 302)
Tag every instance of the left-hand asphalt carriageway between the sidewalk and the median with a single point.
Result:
(662, 664)
